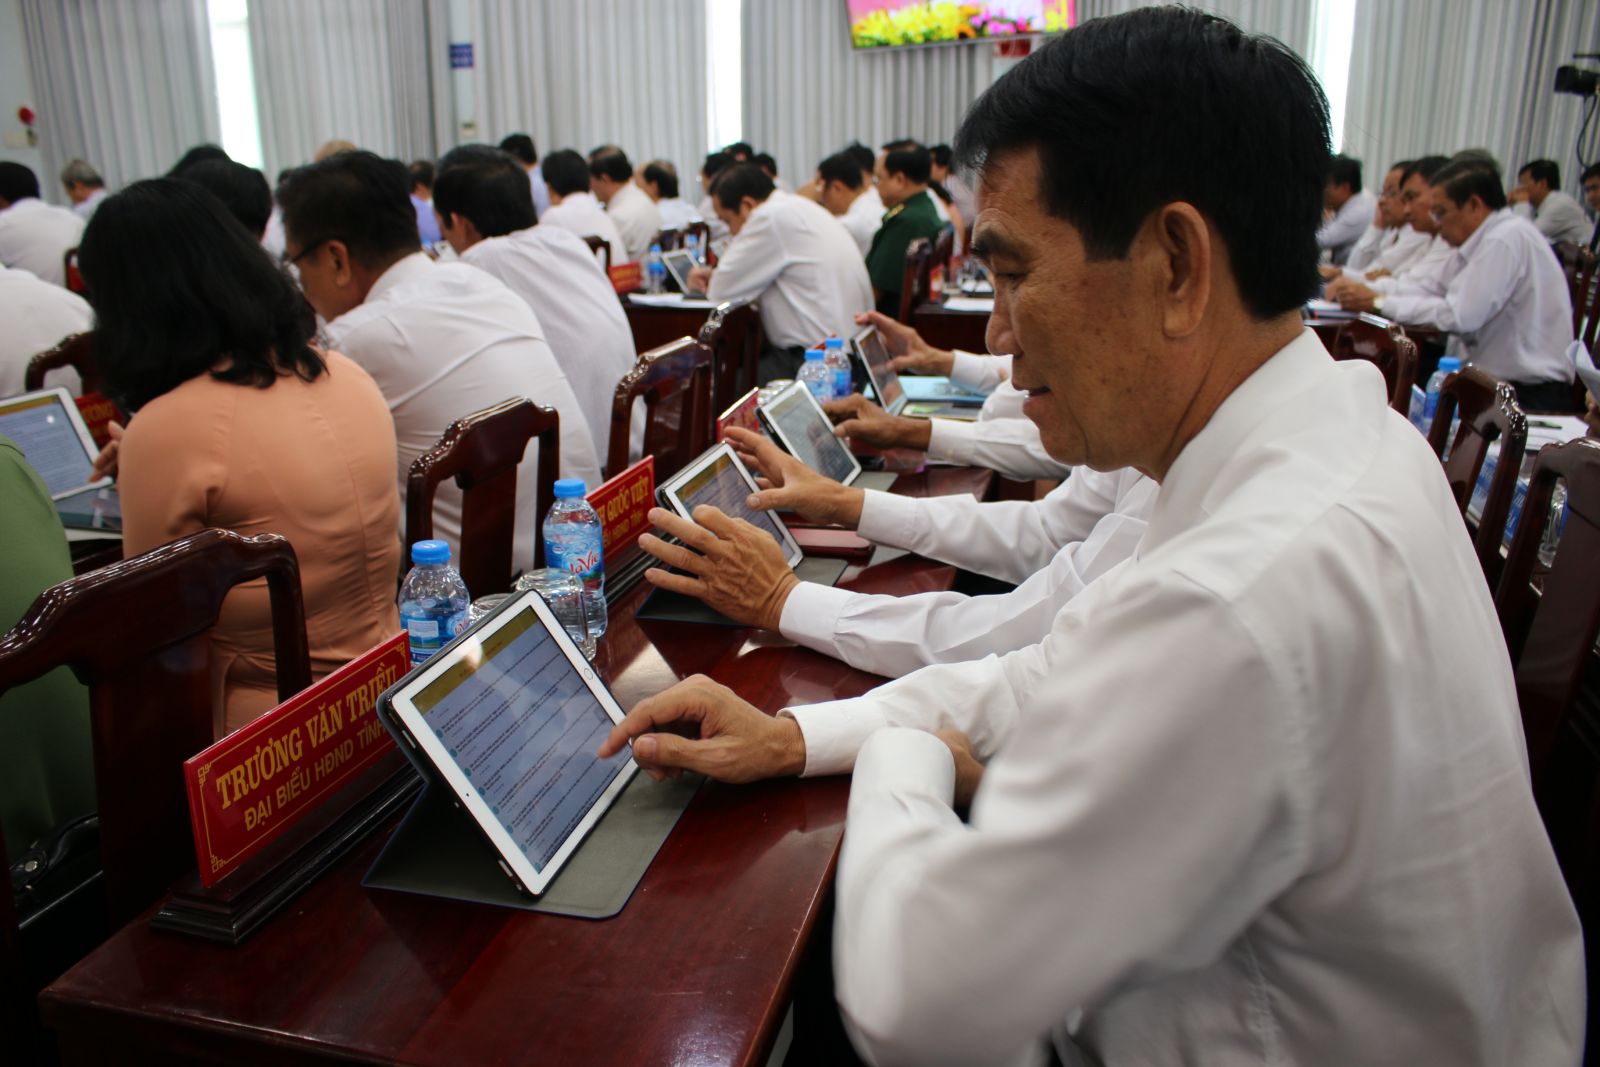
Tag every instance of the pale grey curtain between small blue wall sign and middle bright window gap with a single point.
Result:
(583, 74)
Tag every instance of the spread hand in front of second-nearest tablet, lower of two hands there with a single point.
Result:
(732, 565)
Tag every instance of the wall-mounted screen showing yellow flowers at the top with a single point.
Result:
(903, 23)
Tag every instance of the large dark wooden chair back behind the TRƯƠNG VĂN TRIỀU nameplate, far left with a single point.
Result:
(137, 634)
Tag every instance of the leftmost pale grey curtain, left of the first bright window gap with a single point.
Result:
(127, 87)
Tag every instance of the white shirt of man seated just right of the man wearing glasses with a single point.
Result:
(558, 276)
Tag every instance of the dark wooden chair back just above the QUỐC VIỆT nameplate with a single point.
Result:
(681, 425)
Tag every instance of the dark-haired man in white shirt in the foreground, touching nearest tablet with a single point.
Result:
(1252, 802)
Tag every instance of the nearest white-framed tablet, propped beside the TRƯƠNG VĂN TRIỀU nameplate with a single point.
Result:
(510, 717)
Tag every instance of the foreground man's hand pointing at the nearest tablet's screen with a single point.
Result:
(727, 738)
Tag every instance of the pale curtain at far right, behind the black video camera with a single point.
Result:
(1442, 76)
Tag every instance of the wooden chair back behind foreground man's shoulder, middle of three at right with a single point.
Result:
(1489, 412)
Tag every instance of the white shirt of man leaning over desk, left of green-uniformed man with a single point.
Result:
(804, 268)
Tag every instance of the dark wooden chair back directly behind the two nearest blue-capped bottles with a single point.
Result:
(482, 454)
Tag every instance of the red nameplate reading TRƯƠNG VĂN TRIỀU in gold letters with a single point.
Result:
(252, 786)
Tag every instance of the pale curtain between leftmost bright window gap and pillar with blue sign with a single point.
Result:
(354, 71)
